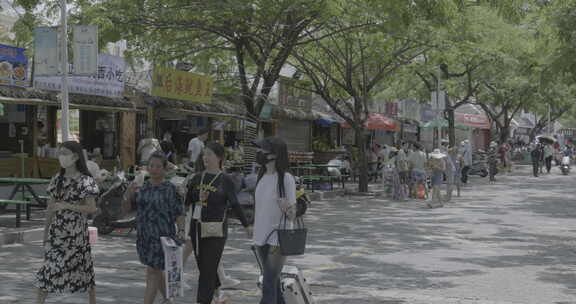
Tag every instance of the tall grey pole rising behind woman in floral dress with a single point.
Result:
(64, 123)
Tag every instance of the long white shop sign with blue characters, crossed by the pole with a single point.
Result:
(109, 80)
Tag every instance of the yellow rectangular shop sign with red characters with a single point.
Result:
(181, 85)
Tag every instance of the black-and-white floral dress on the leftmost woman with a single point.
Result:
(68, 265)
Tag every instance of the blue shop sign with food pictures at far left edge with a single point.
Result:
(13, 66)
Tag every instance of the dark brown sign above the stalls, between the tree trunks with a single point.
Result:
(293, 95)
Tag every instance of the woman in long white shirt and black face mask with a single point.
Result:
(275, 199)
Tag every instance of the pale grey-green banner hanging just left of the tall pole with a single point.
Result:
(46, 51)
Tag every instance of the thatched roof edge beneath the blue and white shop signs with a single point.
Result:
(50, 97)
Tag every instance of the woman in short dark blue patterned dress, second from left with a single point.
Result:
(159, 210)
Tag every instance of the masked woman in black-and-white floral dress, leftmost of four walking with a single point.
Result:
(68, 265)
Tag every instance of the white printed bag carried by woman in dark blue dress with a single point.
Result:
(173, 267)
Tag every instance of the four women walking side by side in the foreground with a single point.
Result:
(196, 217)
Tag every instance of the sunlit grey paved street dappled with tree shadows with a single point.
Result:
(508, 243)
